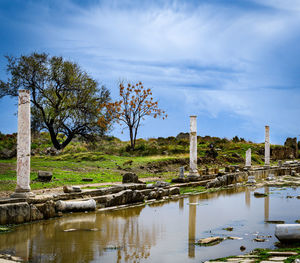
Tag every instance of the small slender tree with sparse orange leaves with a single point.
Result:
(134, 105)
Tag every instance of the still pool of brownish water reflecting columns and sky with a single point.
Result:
(163, 232)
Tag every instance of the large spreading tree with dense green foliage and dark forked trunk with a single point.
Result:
(64, 98)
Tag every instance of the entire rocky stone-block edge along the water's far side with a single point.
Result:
(45, 206)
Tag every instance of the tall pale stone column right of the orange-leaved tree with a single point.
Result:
(193, 147)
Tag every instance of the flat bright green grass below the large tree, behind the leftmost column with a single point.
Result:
(71, 168)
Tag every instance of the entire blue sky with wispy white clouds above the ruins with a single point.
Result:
(234, 64)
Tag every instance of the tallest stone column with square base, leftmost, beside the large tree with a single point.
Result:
(23, 146)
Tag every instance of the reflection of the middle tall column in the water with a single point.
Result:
(192, 226)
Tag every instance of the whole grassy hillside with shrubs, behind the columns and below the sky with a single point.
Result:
(107, 159)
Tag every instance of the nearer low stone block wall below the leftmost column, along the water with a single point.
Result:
(48, 206)
